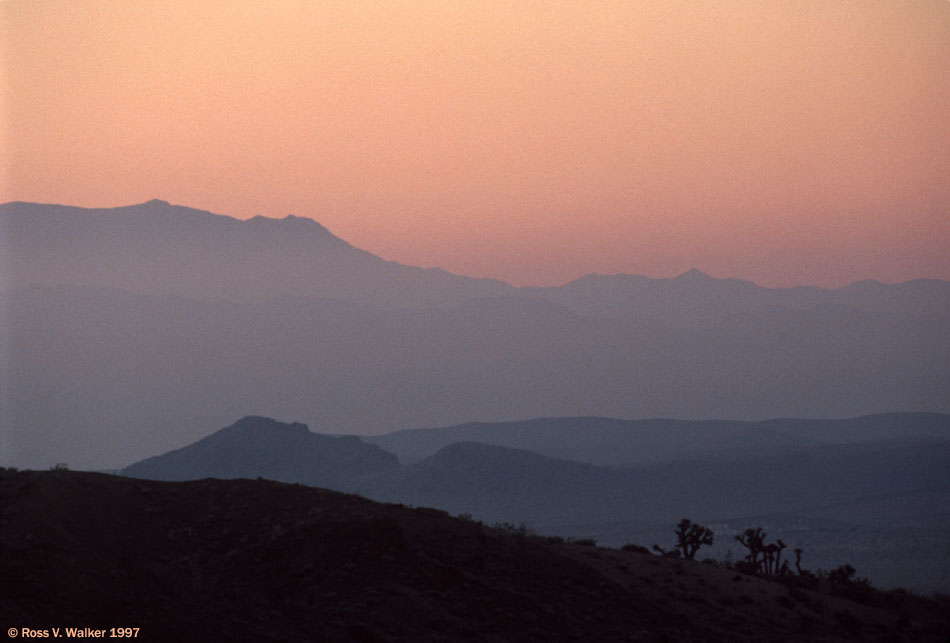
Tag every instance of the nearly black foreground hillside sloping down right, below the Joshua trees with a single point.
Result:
(260, 560)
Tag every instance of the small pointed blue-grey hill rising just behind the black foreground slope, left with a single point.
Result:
(256, 446)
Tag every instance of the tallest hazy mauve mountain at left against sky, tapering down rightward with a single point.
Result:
(159, 248)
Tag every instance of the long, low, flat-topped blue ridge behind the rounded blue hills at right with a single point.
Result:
(612, 443)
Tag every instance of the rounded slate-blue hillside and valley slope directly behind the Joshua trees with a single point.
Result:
(881, 506)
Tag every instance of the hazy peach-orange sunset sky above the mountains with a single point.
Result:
(779, 141)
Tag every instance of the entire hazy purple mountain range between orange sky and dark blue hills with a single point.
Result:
(128, 331)
